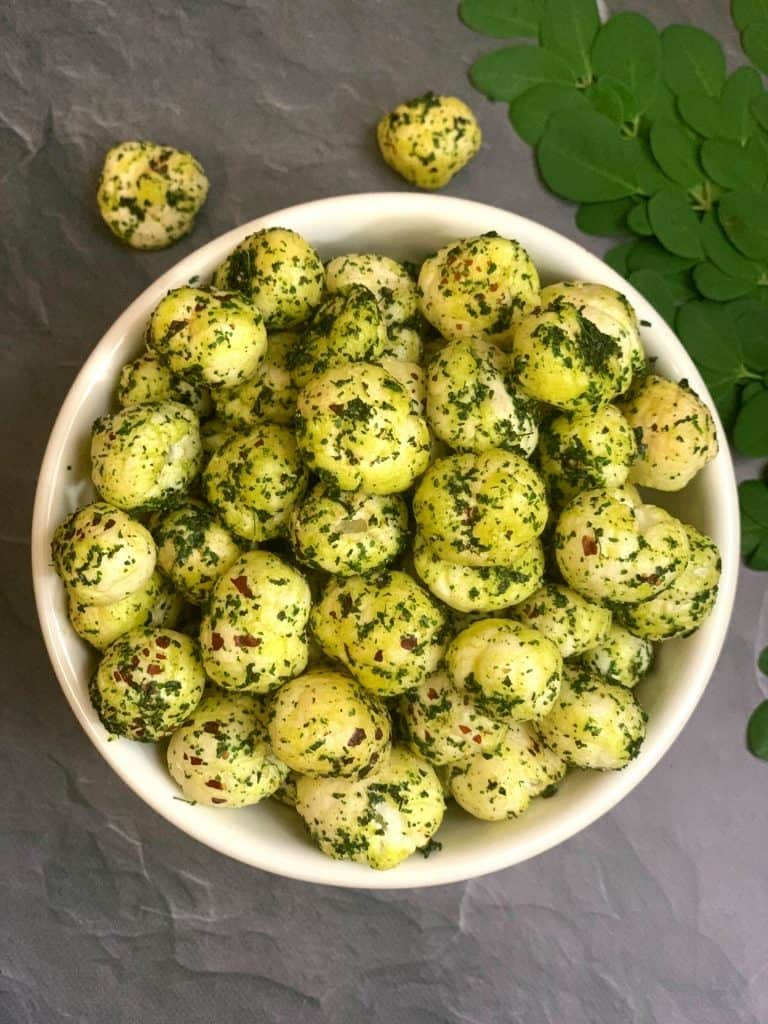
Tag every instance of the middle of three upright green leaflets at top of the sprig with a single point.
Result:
(628, 51)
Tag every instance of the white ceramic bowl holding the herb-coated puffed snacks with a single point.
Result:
(271, 837)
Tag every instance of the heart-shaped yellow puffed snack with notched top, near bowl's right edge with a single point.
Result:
(611, 549)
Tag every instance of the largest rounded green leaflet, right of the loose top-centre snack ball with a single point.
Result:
(582, 158)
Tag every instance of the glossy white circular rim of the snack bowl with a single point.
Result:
(480, 864)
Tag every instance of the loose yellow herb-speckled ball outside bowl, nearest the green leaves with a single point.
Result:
(429, 140)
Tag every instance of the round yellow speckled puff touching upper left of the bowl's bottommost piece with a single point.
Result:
(324, 723)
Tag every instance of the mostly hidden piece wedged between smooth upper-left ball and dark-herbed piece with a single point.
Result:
(270, 395)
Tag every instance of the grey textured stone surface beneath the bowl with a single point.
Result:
(657, 915)
